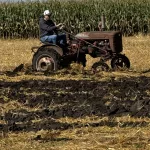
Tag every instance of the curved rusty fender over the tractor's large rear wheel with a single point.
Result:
(50, 46)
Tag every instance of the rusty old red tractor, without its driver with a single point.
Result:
(106, 45)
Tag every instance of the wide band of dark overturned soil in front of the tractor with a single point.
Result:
(56, 99)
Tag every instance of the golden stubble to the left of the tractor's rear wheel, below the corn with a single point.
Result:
(16, 52)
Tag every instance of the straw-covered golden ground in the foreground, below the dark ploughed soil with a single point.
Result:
(106, 137)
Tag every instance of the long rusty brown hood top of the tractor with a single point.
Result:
(94, 35)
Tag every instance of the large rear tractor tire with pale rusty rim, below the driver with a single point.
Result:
(45, 59)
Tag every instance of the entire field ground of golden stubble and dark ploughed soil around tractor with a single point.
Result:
(70, 110)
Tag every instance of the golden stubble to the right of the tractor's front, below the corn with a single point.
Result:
(137, 48)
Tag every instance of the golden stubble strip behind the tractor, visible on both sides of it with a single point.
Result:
(15, 52)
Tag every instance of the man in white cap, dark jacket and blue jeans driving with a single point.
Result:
(48, 30)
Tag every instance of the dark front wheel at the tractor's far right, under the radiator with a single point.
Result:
(120, 62)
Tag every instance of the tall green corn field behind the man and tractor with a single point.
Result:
(21, 19)
